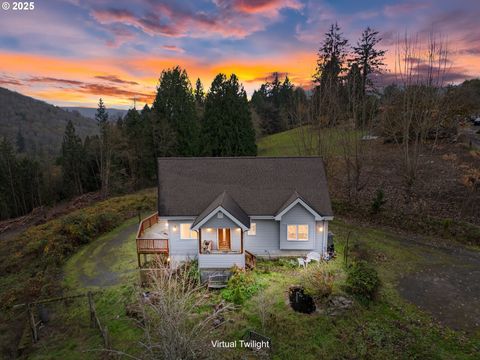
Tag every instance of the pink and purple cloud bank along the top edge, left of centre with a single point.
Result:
(230, 19)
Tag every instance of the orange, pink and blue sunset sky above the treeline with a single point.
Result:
(72, 52)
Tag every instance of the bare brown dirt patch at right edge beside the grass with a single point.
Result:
(446, 284)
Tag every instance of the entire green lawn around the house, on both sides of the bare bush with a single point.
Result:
(388, 327)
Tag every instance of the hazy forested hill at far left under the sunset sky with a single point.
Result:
(42, 125)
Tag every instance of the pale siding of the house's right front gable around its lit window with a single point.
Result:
(298, 215)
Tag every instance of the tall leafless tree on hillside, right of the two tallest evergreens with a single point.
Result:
(413, 111)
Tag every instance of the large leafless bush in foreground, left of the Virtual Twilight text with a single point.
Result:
(173, 317)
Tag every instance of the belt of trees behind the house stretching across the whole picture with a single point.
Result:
(351, 90)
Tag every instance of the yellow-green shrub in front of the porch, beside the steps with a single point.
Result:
(241, 286)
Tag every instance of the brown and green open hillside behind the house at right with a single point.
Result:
(447, 198)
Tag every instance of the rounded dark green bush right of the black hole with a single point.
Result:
(362, 280)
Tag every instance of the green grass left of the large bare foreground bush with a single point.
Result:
(76, 340)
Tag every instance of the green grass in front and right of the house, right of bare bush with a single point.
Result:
(386, 328)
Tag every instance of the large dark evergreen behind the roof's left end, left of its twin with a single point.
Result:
(174, 111)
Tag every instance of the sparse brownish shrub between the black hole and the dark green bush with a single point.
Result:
(318, 282)
